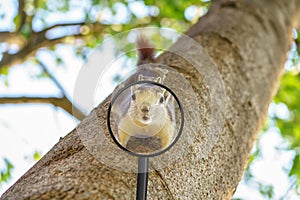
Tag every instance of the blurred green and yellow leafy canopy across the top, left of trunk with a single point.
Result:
(95, 20)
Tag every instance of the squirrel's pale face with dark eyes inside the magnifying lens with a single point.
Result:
(148, 106)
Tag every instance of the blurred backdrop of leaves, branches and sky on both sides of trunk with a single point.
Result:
(43, 45)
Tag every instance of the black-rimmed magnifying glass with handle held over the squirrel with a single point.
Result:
(145, 119)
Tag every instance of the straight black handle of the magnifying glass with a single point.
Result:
(142, 178)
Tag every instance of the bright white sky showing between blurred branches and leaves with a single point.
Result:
(27, 128)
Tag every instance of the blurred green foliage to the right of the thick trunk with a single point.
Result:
(288, 123)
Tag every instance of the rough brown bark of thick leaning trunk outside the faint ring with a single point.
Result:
(248, 40)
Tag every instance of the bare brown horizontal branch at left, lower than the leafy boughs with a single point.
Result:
(63, 103)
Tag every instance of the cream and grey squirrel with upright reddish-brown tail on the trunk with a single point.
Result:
(146, 110)
